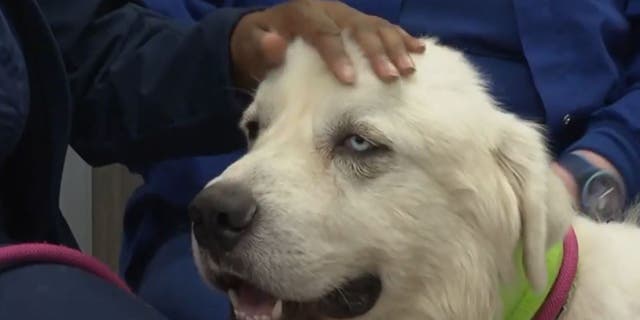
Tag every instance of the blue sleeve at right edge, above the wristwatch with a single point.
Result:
(614, 131)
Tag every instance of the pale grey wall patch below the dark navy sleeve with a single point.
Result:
(75, 199)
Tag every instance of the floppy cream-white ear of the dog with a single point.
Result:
(523, 158)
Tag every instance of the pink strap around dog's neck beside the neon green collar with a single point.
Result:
(557, 298)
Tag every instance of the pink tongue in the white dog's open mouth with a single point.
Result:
(251, 303)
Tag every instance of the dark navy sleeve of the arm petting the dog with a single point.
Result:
(146, 87)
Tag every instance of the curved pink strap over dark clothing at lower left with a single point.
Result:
(42, 252)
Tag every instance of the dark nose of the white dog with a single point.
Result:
(221, 215)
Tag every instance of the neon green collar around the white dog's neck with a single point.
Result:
(520, 301)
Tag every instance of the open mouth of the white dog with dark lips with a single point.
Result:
(354, 298)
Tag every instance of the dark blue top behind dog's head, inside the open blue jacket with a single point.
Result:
(487, 32)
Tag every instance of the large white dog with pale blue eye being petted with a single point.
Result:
(419, 199)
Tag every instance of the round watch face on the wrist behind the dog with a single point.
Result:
(603, 197)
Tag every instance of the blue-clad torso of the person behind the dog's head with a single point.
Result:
(553, 62)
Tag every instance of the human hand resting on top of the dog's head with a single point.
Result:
(260, 39)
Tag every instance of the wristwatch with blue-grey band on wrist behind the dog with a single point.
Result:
(601, 194)
